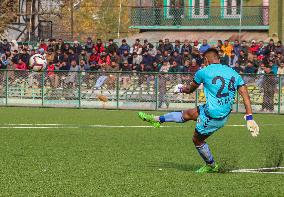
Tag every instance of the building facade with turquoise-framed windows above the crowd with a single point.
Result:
(213, 15)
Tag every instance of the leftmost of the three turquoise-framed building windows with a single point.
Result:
(173, 7)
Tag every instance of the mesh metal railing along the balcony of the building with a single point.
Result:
(194, 17)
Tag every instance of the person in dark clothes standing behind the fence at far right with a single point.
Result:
(269, 84)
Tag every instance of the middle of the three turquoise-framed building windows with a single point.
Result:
(199, 8)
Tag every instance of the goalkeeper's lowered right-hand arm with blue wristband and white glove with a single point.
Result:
(251, 124)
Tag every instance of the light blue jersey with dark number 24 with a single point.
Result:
(220, 84)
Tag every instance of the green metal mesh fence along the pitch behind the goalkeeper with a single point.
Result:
(147, 91)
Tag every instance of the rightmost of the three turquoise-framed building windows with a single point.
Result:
(231, 8)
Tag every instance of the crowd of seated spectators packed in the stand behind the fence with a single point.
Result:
(245, 57)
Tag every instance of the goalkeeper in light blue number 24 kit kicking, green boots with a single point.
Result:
(220, 85)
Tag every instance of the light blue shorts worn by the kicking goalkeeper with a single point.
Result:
(206, 125)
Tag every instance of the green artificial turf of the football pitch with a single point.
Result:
(117, 161)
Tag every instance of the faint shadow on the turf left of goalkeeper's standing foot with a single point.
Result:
(173, 165)
